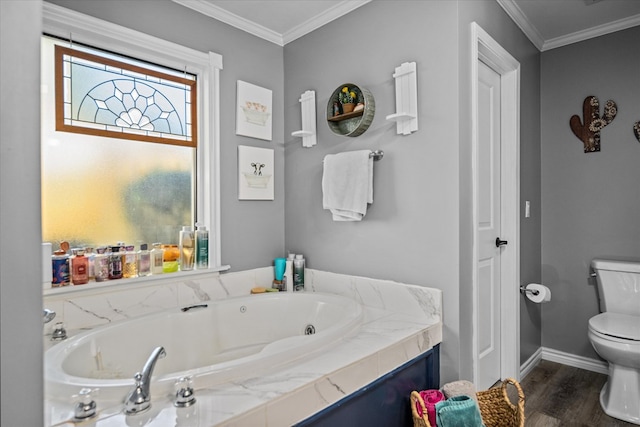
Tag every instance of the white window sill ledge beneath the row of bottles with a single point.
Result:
(138, 282)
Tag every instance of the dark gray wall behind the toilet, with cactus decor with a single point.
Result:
(591, 202)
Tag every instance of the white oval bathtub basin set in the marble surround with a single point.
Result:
(213, 342)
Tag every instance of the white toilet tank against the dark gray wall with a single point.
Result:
(618, 285)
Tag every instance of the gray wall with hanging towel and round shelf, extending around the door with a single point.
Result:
(418, 229)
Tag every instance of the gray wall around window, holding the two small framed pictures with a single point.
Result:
(252, 231)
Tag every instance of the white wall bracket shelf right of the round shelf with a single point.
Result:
(406, 116)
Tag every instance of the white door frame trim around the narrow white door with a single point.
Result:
(484, 48)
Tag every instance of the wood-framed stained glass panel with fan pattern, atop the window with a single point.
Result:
(106, 97)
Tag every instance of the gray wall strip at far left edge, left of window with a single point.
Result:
(21, 236)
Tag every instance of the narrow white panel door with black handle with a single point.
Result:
(488, 228)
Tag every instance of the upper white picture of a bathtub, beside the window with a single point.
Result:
(254, 111)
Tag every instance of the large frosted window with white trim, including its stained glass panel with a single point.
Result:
(127, 154)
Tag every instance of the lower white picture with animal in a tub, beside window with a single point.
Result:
(255, 173)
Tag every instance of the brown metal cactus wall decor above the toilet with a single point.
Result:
(588, 131)
